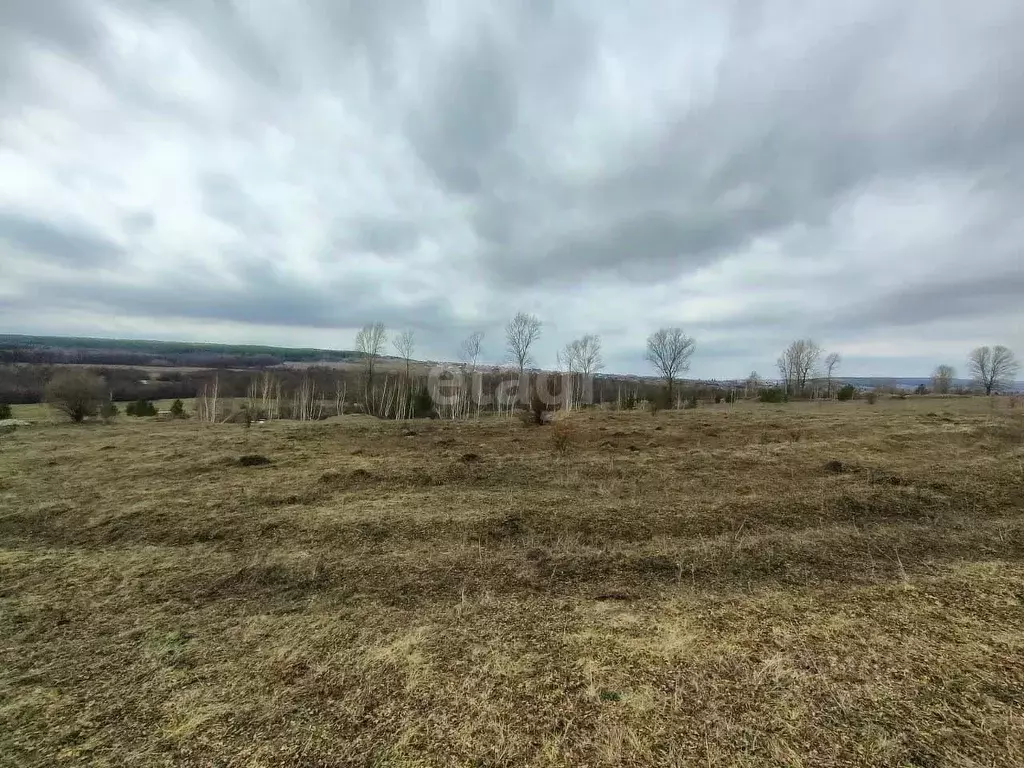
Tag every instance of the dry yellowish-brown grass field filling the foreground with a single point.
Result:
(803, 585)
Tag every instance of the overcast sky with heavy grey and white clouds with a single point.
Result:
(276, 172)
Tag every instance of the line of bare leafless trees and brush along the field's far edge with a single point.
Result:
(402, 390)
